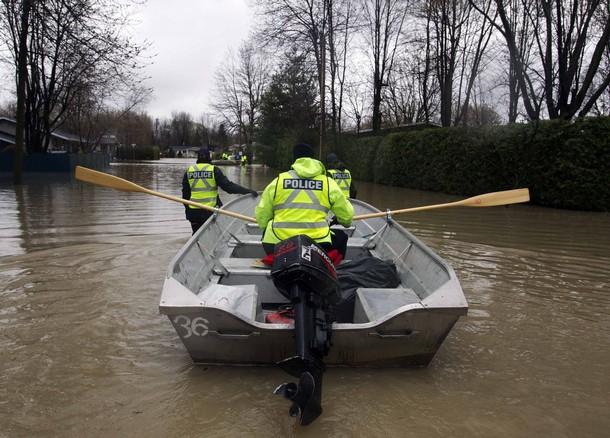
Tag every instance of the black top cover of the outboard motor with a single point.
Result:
(299, 260)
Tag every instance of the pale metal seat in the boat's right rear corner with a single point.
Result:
(374, 303)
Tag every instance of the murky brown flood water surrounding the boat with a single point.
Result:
(84, 352)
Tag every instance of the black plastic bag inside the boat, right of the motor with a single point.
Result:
(364, 272)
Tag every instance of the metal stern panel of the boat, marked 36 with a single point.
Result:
(412, 340)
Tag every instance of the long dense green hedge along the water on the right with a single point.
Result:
(565, 164)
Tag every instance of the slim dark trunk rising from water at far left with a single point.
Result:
(22, 69)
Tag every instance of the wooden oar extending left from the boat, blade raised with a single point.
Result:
(114, 182)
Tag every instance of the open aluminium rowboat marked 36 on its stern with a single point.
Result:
(217, 299)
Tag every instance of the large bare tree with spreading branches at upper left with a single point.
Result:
(72, 45)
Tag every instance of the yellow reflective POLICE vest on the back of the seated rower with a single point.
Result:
(300, 206)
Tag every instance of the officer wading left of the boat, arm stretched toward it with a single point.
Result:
(200, 184)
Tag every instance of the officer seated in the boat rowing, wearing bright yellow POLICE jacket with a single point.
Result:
(298, 202)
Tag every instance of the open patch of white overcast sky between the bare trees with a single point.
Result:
(189, 39)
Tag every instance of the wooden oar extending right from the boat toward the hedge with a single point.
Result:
(487, 200)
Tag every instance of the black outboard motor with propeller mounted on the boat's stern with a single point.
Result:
(303, 273)
